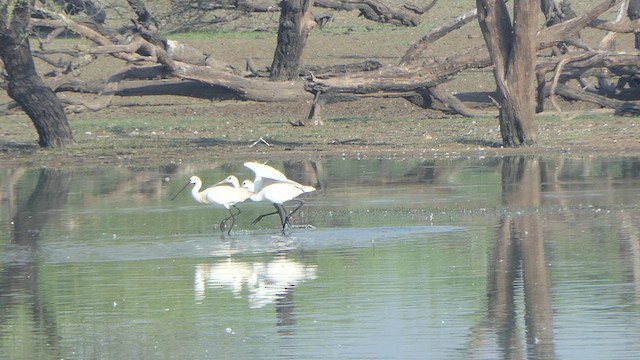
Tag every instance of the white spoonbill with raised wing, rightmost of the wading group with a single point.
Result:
(273, 186)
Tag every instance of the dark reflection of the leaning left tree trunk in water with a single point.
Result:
(19, 278)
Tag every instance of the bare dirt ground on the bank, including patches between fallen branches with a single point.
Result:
(161, 129)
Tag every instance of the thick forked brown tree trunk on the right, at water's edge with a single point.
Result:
(513, 53)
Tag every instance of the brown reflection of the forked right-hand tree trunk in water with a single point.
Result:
(518, 268)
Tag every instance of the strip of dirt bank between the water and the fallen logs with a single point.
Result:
(370, 128)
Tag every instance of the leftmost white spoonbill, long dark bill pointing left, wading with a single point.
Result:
(226, 196)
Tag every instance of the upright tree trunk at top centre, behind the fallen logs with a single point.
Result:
(295, 24)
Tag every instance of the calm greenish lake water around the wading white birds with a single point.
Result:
(495, 258)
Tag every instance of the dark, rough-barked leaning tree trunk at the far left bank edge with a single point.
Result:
(24, 84)
